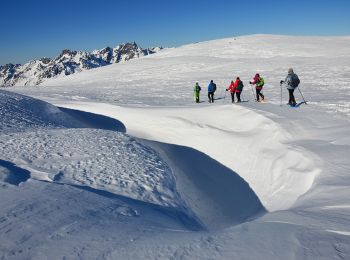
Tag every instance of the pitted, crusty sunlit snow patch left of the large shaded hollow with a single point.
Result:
(101, 159)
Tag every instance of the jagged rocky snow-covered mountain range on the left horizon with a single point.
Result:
(68, 62)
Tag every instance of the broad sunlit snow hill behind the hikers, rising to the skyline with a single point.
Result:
(167, 78)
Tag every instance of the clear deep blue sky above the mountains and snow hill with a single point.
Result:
(33, 29)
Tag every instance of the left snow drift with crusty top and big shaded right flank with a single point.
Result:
(109, 161)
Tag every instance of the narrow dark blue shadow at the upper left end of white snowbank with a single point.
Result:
(96, 121)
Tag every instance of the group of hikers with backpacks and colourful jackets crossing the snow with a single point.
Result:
(236, 87)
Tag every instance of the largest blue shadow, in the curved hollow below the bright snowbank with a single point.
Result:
(217, 196)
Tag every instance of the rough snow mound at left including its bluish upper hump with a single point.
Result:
(102, 159)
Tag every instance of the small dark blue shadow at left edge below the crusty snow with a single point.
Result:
(13, 175)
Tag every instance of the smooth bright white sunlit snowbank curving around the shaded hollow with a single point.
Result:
(250, 144)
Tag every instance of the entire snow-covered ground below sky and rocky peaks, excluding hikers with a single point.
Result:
(123, 165)
